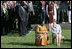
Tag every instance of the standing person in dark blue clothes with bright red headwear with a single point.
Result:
(42, 10)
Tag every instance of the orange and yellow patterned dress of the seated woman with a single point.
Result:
(41, 39)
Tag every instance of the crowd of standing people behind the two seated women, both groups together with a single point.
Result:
(11, 10)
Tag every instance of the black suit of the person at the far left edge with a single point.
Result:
(4, 21)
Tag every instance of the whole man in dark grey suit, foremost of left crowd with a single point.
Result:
(22, 16)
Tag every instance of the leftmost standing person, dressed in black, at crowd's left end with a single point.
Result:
(5, 18)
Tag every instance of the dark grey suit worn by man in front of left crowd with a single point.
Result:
(22, 17)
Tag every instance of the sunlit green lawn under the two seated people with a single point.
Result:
(13, 40)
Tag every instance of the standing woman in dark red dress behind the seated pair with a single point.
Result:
(50, 12)
